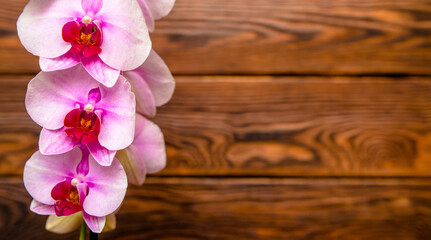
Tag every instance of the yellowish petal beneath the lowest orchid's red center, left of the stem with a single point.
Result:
(63, 224)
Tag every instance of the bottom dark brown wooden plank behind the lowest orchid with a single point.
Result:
(294, 209)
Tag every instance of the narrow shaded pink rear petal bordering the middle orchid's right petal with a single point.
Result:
(145, 103)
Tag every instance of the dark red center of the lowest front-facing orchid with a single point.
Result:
(67, 199)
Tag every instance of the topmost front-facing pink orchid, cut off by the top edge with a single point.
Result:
(106, 36)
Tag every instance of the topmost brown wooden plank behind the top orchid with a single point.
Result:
(273, 37)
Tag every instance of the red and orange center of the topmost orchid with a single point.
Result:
(85, 37)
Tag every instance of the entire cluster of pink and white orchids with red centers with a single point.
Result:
(100, 79)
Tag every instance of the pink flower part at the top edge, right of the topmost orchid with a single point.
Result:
(155, 9)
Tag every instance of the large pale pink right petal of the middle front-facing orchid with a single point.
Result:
(118, 116)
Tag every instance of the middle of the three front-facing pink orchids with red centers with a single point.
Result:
(74, 109)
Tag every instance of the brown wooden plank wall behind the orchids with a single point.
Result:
(292, 119)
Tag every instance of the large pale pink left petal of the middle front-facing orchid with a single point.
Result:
(51, 95)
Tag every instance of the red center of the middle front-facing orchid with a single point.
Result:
(82, 126)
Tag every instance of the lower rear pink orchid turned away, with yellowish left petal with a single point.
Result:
(146, 154)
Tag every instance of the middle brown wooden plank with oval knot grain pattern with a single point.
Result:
(270, 126)
